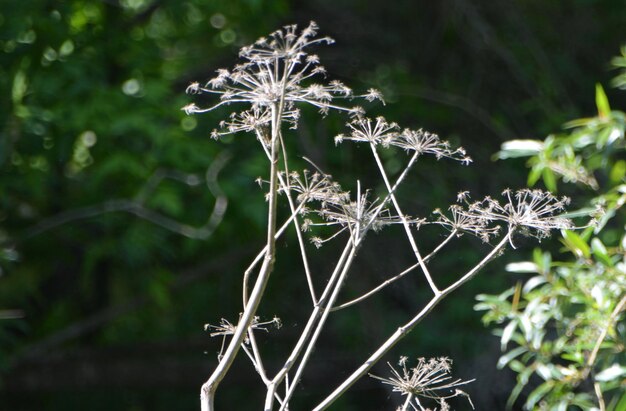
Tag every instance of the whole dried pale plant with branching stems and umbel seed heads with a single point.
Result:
(277, 74)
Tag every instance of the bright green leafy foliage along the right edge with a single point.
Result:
(563, 328)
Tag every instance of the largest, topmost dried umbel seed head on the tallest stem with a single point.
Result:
(271, 80)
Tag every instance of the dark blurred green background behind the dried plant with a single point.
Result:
(111, 304)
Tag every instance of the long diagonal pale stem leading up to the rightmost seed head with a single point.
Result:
(406, 328)
